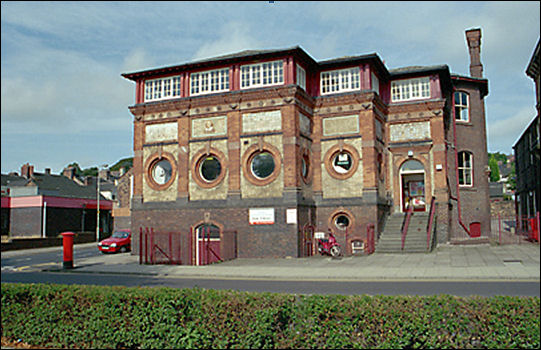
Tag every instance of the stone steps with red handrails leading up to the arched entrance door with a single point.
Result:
(390, 240)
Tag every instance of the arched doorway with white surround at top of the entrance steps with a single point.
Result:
(412, 184)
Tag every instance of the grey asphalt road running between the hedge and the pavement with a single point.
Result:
(29, 268)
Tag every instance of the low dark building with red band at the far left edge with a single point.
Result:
(44, 205)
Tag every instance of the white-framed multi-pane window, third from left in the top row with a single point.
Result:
(262, 74)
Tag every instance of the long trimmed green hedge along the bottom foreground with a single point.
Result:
(121, 317)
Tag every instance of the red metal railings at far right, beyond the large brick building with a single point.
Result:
(514, 229)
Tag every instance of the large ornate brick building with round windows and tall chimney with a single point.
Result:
(267, 142)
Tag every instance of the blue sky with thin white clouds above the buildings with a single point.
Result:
(64, 100)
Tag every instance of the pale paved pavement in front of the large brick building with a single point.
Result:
(486, 262)
